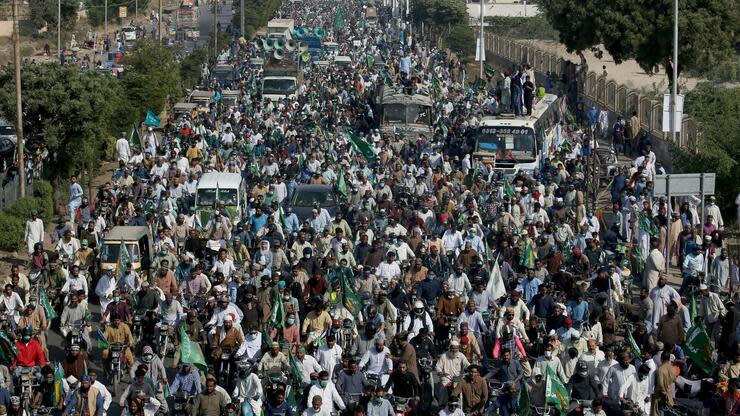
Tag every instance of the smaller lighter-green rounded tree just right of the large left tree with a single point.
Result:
(152, 78)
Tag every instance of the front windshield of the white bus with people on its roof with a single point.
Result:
(507, 143)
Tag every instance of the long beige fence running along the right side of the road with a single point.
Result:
(598, 89)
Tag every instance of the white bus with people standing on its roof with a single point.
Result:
(510, 144)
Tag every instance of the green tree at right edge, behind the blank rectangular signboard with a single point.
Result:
(717, 111)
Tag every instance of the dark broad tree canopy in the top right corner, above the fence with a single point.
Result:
(643, 30)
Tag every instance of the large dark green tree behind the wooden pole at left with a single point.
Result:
(74, 111)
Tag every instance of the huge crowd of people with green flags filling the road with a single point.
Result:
(434, 285)
